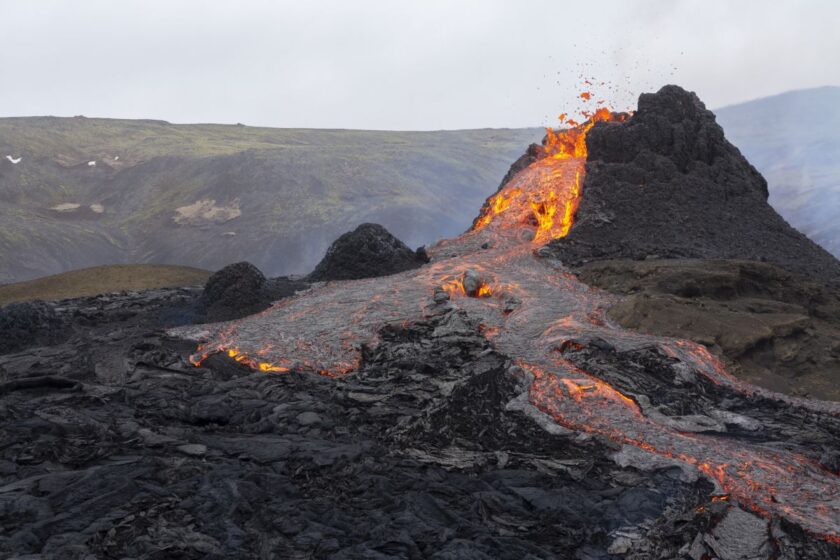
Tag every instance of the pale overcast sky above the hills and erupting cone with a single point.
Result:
(399, 64)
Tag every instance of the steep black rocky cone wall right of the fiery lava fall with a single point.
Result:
(667, 183)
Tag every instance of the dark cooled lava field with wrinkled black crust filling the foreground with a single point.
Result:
(113, 446)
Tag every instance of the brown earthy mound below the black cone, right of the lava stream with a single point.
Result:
(773, 327)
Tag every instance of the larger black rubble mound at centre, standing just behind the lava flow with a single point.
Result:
(366, 252)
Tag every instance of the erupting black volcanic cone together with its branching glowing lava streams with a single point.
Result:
(535, 313)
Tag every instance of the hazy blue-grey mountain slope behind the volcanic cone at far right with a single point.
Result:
(794, 140)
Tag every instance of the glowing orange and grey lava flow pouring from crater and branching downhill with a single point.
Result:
(529, 307)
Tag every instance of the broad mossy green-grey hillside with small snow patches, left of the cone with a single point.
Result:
(208, 195)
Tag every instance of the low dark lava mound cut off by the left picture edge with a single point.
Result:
(29, 323)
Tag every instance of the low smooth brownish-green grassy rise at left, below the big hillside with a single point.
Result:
(101, 280)
